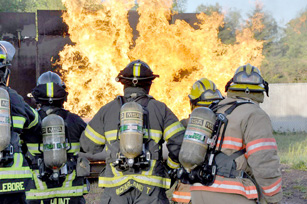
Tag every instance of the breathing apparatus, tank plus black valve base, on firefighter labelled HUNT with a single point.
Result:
(55, 164)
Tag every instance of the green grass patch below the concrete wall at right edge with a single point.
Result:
(292, 149)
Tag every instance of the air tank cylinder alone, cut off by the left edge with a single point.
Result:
(5, 119)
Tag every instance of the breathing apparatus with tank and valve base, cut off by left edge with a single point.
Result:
(6, 149)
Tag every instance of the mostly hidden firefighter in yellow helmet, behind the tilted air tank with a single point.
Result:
(202, 94)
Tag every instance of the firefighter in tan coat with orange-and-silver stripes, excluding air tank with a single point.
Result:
(247, 164)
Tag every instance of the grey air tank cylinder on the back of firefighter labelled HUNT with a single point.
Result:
(54, 151)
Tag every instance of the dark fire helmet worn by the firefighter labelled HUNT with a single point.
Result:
(50, 89)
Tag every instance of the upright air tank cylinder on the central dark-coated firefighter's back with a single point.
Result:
(131, 130)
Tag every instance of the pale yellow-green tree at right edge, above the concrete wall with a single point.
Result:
(287, 60)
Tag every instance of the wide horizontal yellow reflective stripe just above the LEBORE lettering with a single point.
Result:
(15, 173)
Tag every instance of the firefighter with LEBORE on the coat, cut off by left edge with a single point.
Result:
(18, 122)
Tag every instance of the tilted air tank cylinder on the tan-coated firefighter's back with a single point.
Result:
(196, 138)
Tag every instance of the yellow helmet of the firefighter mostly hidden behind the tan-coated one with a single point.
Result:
(203, 93)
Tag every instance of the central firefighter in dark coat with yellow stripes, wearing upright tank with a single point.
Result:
(135, 172)
